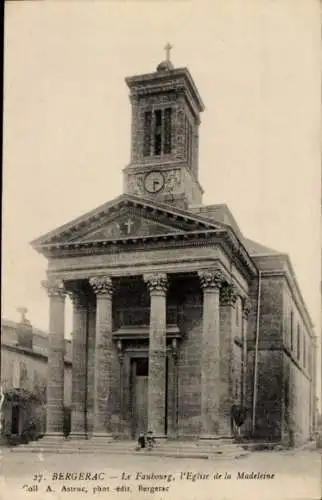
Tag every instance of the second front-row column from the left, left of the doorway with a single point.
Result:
(102, 286)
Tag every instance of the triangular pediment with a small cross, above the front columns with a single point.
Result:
(126, 217)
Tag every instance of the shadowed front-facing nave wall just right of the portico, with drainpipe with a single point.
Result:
(270, 358)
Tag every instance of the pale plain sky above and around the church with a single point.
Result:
(257, 66)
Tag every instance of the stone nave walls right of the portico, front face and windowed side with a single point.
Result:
(284, 389)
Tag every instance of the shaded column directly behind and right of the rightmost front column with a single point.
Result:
(228, 299)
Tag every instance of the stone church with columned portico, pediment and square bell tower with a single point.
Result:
(166, 295)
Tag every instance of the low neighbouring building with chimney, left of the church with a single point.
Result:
(24, 379)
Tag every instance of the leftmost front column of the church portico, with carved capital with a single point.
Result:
(56, 352)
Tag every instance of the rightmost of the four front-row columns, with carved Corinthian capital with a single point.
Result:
(211, 281)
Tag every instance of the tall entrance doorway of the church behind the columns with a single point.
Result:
(140, 377)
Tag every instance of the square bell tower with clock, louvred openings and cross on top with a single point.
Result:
(166, 109)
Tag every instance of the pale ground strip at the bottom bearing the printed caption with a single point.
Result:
(32, 475)
